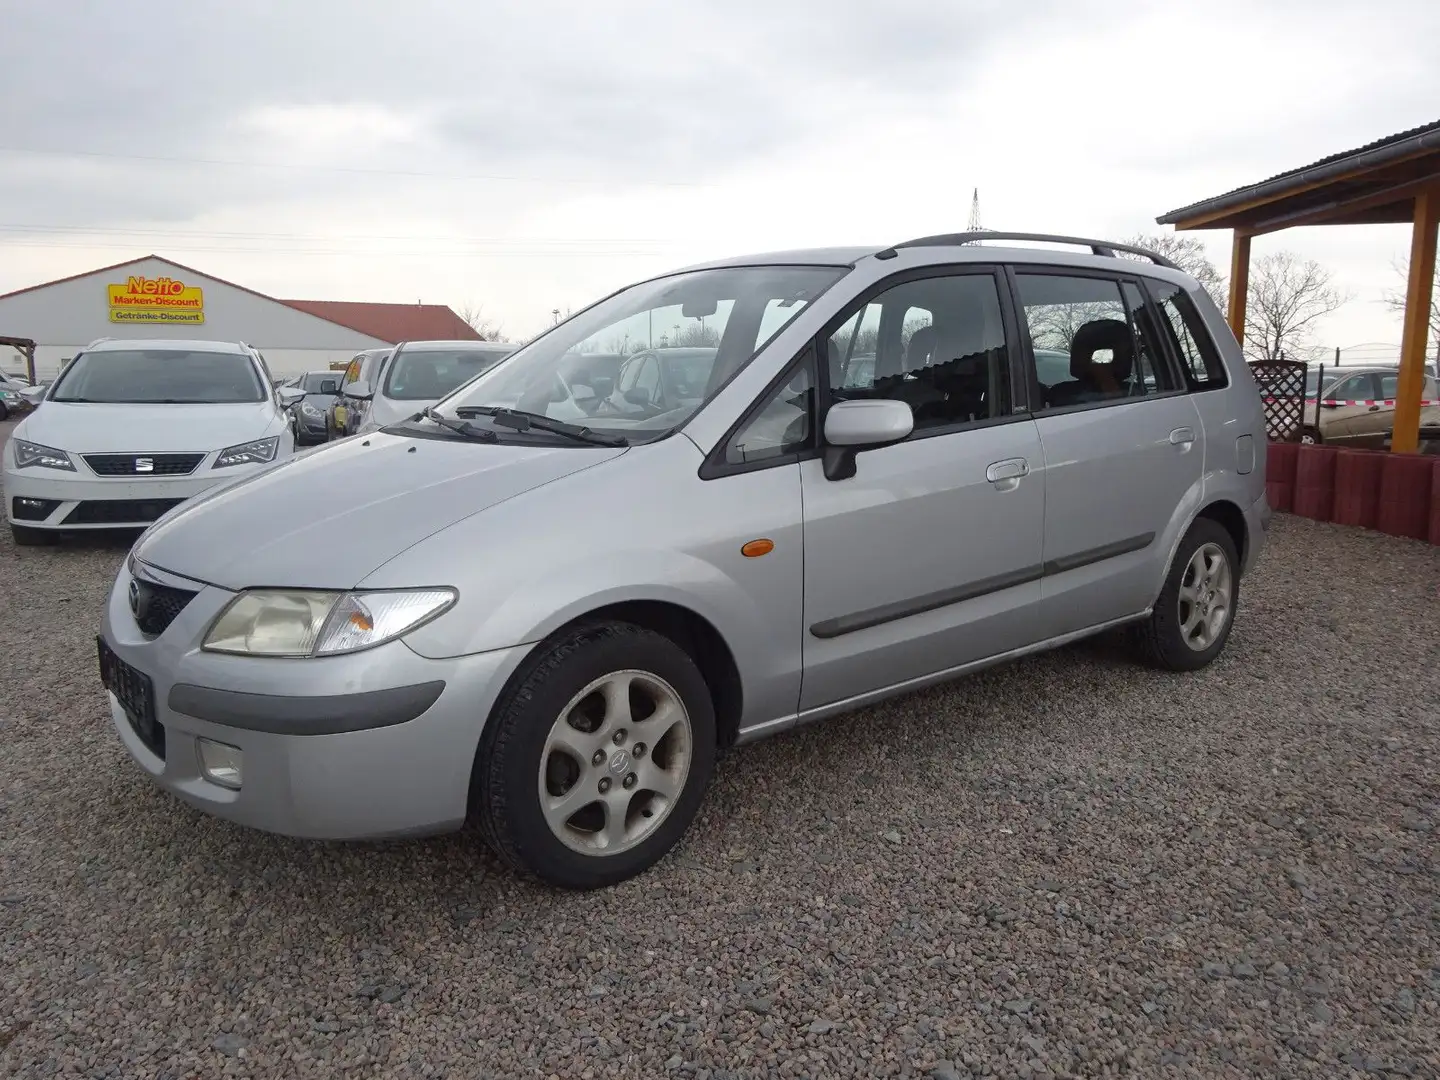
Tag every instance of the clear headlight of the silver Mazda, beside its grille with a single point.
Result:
(310, 623)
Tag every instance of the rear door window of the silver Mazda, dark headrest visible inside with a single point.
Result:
(1088, 348)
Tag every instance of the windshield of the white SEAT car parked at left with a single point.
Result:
(161, 377)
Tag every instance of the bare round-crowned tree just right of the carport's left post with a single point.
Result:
(1288, 297)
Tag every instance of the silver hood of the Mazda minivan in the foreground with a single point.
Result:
(330, 518)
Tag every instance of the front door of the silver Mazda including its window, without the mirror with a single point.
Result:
(928, 558)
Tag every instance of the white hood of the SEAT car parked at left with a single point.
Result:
(158, 428)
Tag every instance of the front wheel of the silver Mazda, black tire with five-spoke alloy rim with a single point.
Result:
(597, 761)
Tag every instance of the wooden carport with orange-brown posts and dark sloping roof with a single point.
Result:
(1393, 181)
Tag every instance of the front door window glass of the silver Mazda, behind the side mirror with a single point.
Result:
(937, 343)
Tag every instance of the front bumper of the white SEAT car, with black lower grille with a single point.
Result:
(87, 502)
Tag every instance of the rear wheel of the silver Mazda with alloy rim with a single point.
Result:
(1196, 610)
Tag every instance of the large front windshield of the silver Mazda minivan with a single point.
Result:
(644, 361)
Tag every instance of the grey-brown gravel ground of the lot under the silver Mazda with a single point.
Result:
(1065, 868)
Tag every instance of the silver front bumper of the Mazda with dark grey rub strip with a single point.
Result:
(378, 744)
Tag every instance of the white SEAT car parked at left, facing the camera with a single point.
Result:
(132, 430)
